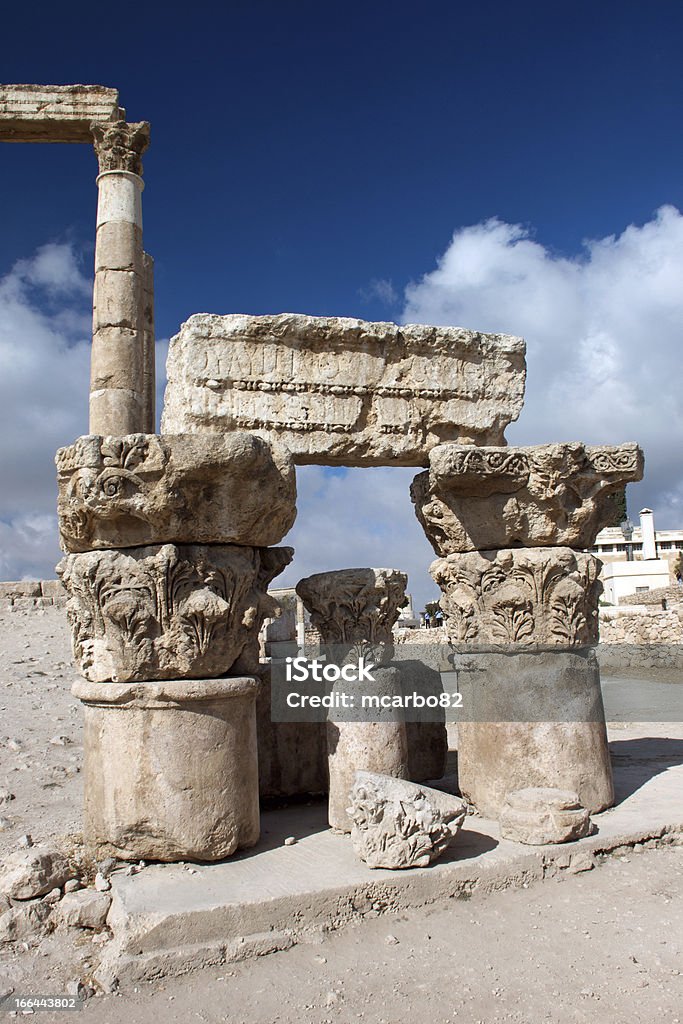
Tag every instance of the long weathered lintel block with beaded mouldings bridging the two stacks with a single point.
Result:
(343, 392)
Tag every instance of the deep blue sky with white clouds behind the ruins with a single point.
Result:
(324, 158)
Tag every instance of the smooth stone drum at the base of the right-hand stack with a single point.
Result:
(532, 718)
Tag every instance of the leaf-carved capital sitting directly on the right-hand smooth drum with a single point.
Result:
(535, 596)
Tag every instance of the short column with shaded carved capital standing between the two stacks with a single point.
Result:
(355, 610)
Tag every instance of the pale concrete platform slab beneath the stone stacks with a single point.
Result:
(173, 919)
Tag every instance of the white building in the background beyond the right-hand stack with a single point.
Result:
(637, 560)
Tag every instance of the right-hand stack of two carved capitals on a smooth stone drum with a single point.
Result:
(521, 608)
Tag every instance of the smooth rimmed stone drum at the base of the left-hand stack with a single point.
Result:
(172, 769)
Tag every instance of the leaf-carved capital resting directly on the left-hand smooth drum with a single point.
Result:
(168, 613)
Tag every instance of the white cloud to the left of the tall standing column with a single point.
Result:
(45, 355)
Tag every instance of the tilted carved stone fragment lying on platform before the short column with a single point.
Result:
(399, 825)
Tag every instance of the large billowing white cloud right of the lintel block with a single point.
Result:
(604, 332)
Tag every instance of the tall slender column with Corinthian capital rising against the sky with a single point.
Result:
(122, 363)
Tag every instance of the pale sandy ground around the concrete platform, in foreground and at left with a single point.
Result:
(606, 947)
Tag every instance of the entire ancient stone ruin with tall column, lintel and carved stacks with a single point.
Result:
(172, 542)
